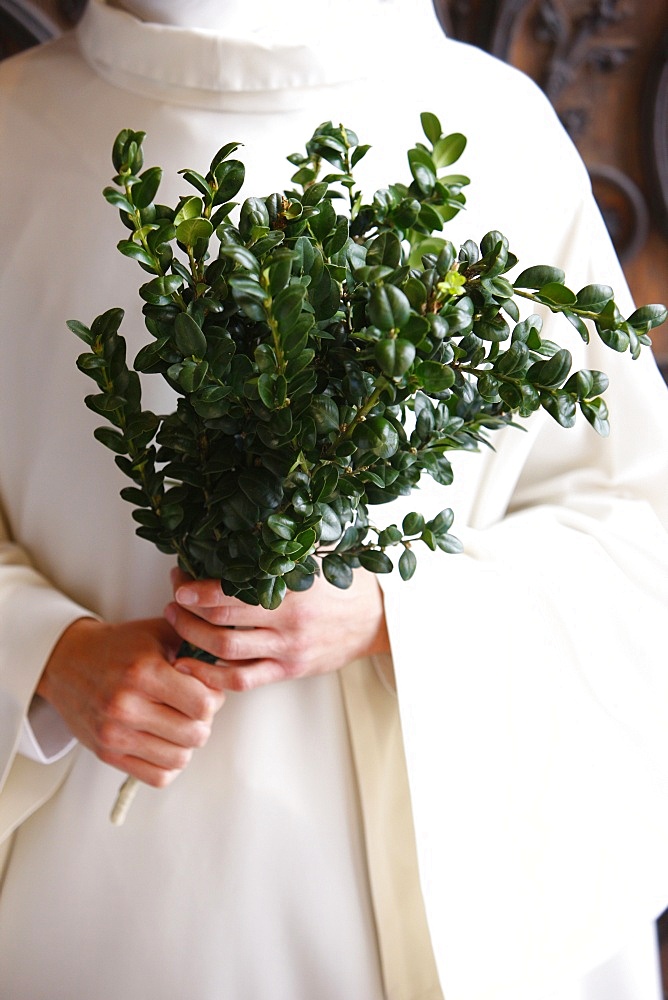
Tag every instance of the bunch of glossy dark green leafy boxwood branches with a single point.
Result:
(323, 362)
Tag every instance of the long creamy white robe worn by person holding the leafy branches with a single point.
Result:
(530, 670)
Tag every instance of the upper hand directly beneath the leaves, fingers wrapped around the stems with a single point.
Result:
(312, 632)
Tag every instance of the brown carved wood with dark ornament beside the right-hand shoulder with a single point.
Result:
(604, 66)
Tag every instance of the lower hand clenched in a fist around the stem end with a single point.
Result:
(117, 689)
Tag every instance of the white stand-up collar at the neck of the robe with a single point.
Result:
(245, 72)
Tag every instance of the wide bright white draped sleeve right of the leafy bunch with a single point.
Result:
(533, 687)
